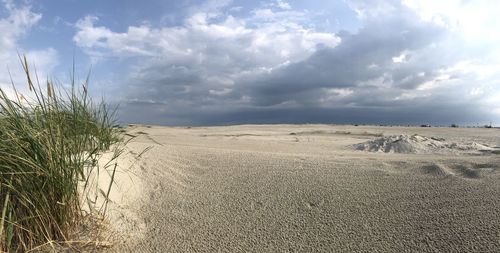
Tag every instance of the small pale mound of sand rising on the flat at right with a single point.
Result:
(417, 144)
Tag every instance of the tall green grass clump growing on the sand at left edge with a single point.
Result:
(50, 141)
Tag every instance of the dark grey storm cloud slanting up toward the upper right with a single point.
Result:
(360, 57)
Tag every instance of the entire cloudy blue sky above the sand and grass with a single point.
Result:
(220, 62)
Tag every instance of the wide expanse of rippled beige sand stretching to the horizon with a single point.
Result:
(307, 188)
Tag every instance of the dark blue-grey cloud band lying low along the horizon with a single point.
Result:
(428, 114)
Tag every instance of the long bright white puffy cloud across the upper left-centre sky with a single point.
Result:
(259, 37)
